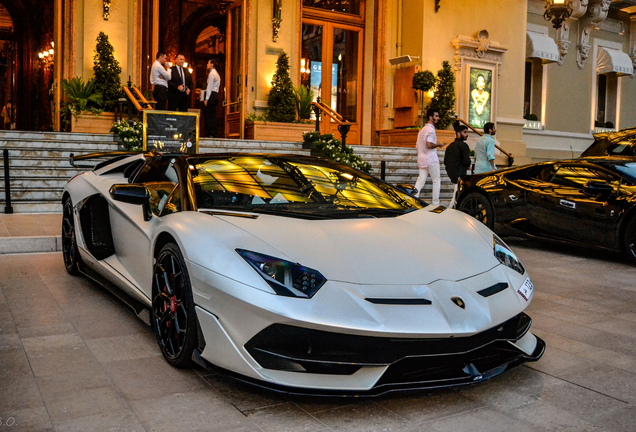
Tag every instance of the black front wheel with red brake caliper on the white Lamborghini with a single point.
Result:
(174, 318)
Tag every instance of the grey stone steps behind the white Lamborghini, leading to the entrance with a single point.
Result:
(39, 163)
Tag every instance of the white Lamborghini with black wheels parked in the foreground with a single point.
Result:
(299, 273)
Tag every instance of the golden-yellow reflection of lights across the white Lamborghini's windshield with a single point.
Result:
(253, 181)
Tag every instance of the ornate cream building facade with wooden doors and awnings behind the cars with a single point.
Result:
(547, 90)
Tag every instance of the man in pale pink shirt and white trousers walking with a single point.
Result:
(427, 159)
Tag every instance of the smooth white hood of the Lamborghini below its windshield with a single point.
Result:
(417, 248)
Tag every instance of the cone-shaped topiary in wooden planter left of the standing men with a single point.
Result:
(107, 83)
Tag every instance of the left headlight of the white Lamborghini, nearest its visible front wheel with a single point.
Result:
(286, 278)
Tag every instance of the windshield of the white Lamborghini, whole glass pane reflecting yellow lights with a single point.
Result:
(298, 187)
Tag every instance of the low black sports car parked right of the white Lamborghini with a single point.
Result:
(587, 200)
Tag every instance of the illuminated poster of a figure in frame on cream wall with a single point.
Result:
(480, 97)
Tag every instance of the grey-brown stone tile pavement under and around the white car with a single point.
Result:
(74, 358)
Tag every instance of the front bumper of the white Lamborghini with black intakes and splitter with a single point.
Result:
(306, 361)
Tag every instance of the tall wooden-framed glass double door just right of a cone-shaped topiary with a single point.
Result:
(339, 83)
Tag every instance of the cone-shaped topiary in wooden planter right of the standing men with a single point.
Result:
(279, 123)
